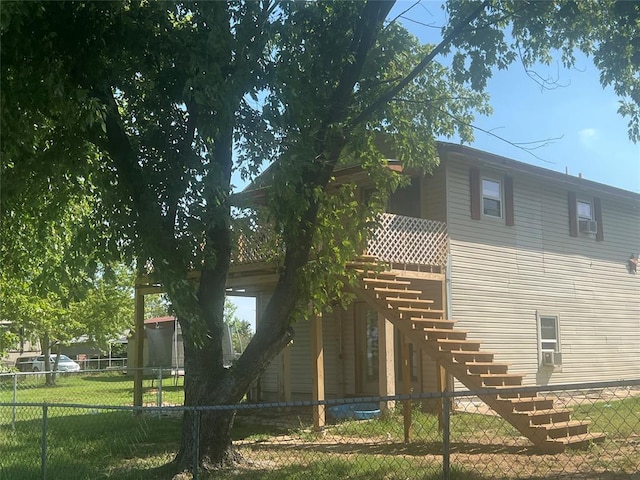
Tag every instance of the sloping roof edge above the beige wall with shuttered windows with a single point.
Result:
(481, 157)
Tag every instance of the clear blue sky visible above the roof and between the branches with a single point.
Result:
(591, 138)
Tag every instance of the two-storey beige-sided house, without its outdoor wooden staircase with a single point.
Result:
(531, 262)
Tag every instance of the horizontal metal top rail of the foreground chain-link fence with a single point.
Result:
(572, 387)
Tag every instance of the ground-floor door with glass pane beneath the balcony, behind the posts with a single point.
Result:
(367, 352)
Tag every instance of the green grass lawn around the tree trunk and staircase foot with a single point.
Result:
(90, 443)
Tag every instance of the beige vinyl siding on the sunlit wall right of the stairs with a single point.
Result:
(501, 276)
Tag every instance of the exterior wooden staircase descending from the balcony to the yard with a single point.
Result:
(401, 300)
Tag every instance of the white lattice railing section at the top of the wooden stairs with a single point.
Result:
(410, 240)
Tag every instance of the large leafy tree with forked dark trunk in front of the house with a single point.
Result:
(145, 102)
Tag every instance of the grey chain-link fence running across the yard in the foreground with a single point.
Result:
(452, 435)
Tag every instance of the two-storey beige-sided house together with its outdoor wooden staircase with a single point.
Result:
(497, 274)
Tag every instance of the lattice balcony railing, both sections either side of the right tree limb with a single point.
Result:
(398, 240)
